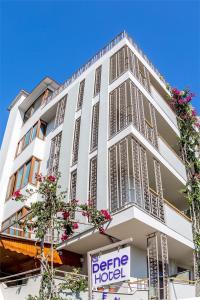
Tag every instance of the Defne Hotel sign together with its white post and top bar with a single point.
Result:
(111, 267)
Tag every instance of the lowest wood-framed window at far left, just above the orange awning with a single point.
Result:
(11, 227)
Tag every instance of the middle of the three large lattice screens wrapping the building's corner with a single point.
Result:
(126, 107)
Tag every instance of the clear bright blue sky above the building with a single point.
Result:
(54, 38)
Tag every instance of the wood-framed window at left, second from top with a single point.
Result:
(38, 130)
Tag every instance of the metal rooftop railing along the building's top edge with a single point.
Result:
(96, 57)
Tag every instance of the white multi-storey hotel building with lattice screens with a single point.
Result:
(111, 133)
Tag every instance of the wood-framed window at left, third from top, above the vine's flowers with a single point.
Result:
(26, 174)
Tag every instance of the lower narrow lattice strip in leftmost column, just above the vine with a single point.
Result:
(54, 154)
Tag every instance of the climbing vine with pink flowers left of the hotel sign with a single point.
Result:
(52, 214)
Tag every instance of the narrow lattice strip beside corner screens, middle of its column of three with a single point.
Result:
(95, 127)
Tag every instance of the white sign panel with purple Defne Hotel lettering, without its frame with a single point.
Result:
(111, 267)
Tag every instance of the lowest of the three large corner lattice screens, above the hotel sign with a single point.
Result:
(128, 178)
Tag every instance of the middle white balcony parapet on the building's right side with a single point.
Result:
(171, 156)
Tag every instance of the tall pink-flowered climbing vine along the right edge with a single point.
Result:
(189, 125)
